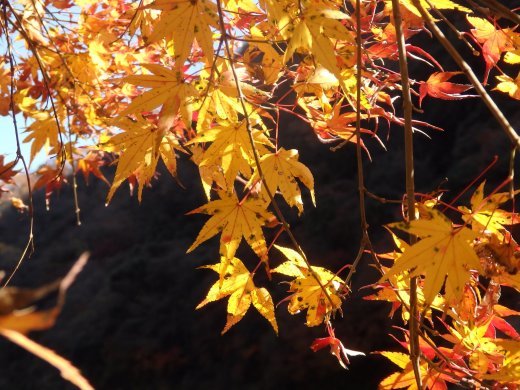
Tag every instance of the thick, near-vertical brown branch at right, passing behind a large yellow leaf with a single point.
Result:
(415, 352)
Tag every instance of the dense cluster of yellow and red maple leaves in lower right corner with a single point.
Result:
(461, 269)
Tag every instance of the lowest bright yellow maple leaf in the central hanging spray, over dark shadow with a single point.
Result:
(237, 283)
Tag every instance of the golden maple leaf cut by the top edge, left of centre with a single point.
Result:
(181, 22)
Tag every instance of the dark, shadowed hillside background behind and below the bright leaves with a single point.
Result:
(129, 320)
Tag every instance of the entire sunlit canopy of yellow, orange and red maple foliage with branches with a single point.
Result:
(134, 85)
